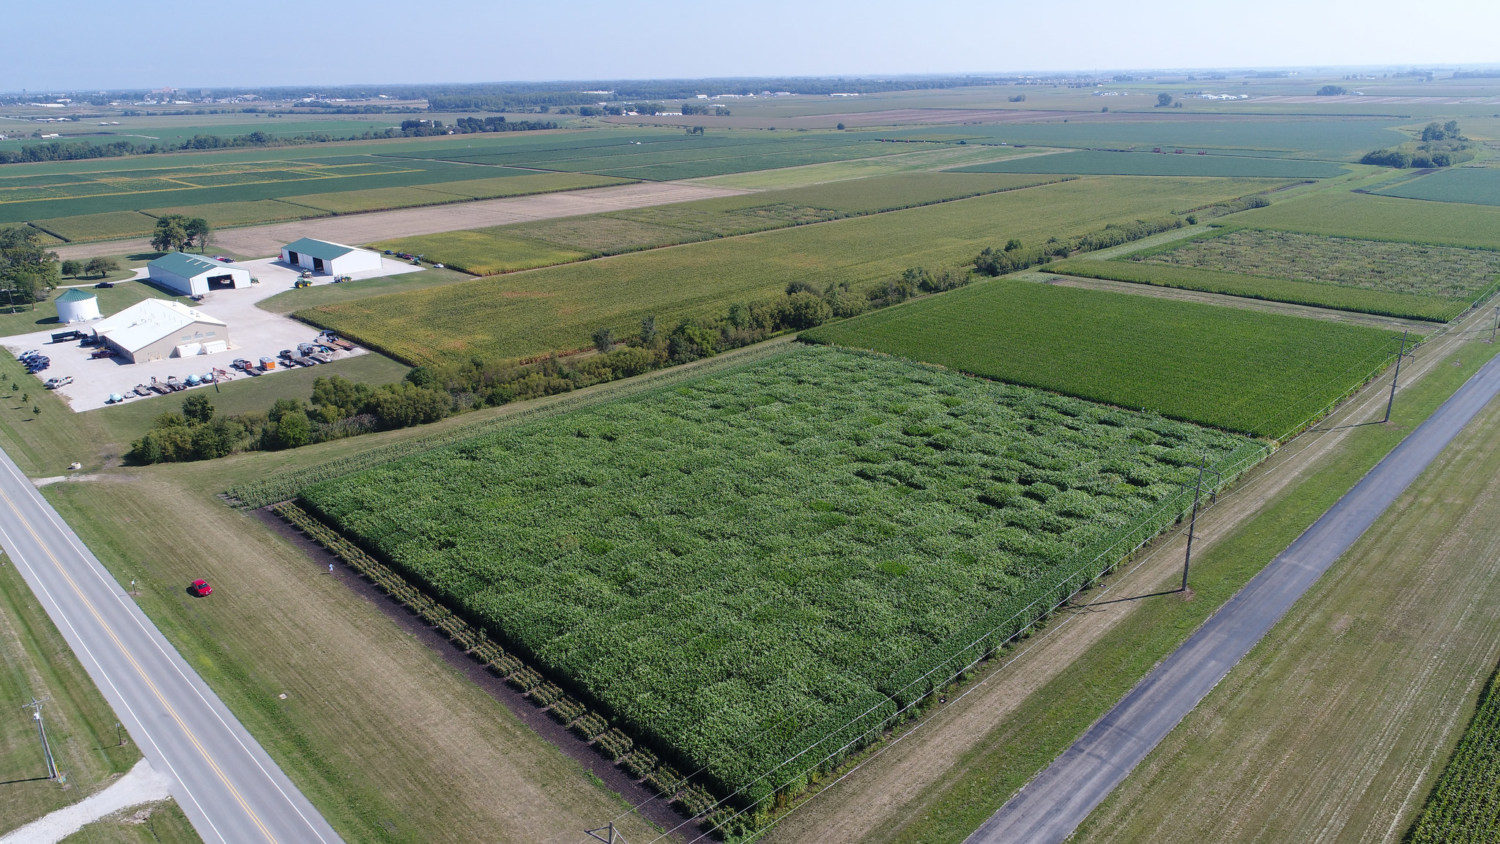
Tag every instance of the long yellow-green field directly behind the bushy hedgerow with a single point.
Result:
(559, 308)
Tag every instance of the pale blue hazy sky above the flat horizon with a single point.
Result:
(104, 44)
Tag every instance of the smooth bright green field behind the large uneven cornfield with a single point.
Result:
(1237, 370)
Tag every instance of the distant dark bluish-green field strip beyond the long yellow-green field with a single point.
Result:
(1165, 164)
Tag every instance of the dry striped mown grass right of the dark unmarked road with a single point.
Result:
(1340, 723)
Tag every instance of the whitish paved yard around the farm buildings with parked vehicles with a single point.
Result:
(254, 334)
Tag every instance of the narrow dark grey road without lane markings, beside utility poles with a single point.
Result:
(1052, 806)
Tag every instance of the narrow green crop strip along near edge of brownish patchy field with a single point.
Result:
(1336, 298)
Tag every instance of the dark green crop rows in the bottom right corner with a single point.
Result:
(1466, 798)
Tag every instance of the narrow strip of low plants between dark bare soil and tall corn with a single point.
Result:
(476, 644)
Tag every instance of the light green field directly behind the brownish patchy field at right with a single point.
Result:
(1382, 218)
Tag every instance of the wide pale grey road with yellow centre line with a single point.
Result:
(224, 782)
